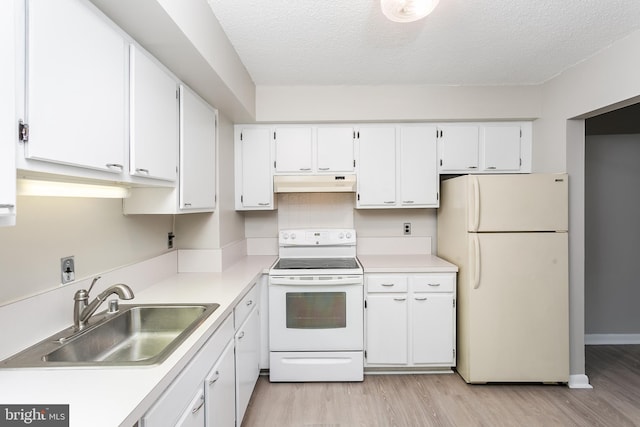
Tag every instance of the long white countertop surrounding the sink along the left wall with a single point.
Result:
(120, 396)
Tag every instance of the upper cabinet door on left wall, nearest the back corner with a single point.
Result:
(197, 152)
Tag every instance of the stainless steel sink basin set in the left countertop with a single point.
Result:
(136, 335)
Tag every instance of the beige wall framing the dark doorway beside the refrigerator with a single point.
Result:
(601, 83)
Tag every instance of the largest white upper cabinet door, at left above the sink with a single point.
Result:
(76, 81)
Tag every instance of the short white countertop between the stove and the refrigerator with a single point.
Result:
(405, 264)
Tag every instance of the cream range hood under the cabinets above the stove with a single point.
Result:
(314, 183)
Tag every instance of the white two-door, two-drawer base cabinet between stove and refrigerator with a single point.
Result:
(410, 320)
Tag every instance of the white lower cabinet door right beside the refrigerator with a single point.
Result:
(432, 325)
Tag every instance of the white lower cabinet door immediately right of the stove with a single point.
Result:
(387, 329)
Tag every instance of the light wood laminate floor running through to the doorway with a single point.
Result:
(446, 400)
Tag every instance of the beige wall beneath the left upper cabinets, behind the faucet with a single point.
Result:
(95, 231)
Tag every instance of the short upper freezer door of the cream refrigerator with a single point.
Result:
(530, 202)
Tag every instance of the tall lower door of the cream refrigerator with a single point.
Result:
(514, 308)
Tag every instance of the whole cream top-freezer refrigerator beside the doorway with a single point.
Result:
(508, 235)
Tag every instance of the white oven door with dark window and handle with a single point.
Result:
(316, 313)
